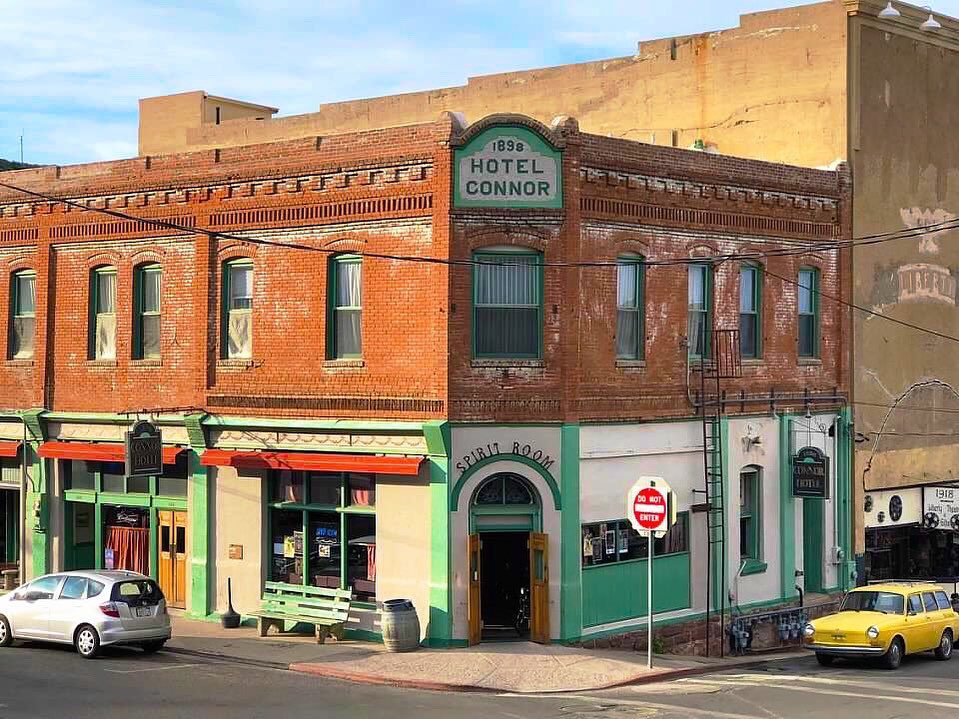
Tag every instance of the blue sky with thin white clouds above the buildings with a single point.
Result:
(73, 70)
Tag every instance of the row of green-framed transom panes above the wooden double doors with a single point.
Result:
(110, 478)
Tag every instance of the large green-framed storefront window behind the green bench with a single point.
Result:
(333, 517)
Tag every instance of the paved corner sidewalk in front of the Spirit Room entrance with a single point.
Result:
(520, 667)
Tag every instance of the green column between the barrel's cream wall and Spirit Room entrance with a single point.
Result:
(440, 630)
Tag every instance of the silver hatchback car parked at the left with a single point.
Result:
(88, 609)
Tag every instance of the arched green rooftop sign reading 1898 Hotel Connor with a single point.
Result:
(508, 167)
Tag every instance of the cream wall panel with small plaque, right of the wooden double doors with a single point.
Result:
(237, 518)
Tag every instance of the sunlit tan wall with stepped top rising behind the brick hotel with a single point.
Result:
(773, 88)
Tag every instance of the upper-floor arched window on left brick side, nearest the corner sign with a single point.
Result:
(345, 313)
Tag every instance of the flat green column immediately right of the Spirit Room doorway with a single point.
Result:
(571, 589)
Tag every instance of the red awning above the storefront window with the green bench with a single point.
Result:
(313, 462)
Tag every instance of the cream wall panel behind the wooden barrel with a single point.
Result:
(403, 541)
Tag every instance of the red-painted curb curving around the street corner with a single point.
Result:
(636, 680)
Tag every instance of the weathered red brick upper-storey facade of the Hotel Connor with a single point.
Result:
(387, 192)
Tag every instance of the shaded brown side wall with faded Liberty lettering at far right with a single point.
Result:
(906, 170)
